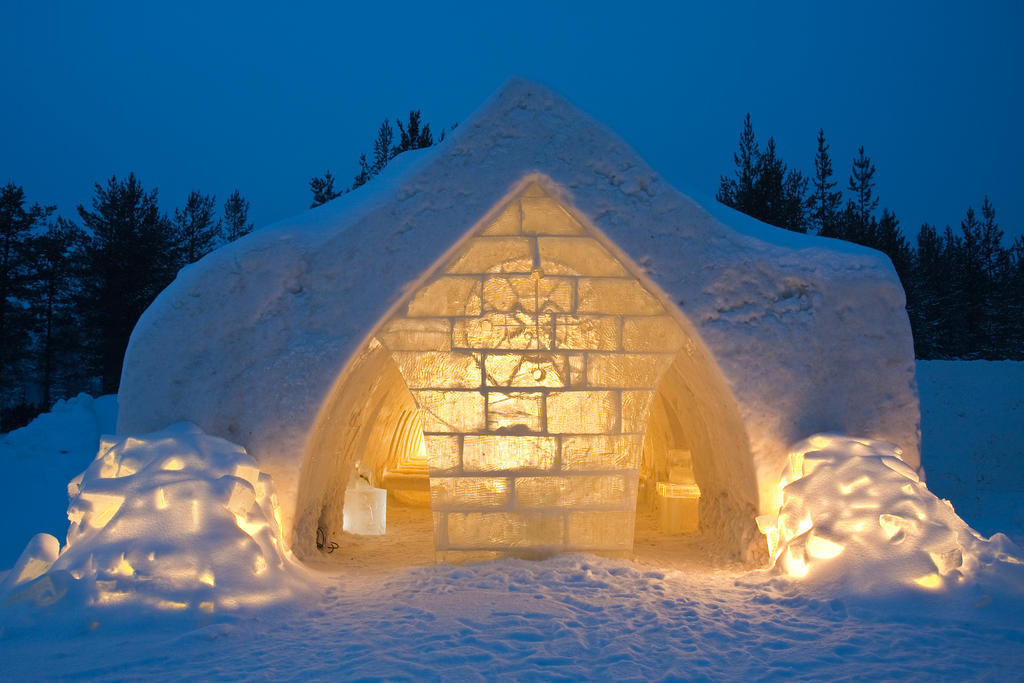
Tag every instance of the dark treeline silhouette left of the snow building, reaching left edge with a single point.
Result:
(71, 294)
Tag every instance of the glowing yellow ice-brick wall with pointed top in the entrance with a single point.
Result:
(533, 355)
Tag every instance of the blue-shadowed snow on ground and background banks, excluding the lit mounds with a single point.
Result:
(569, 618)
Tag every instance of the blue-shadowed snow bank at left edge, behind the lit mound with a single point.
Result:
(37, 462)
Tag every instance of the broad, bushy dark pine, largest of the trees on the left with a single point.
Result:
(129, 260)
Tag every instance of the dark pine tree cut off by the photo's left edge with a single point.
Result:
(17, 225)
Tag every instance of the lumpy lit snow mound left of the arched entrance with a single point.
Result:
(176, 520)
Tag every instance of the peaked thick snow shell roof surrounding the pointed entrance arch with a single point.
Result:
(810, 334)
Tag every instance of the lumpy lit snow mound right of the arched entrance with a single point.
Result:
(857, 517)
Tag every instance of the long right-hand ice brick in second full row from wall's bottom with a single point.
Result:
(560, 492)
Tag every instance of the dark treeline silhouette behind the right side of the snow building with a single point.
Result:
(965, 289)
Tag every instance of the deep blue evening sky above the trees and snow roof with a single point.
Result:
(217, 96)
